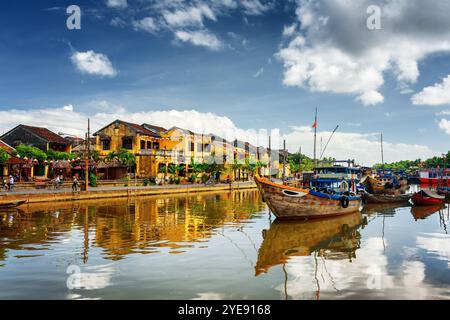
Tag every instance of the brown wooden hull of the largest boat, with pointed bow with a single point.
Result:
(293, 203)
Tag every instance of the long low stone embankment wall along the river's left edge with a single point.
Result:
(38, 196)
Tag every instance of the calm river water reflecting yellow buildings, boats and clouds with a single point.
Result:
(220, 246)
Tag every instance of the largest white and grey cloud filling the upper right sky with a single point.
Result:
(323, 57)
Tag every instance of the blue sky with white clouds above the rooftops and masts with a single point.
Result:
(243, 68)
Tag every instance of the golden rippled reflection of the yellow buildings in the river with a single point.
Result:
(121, 227)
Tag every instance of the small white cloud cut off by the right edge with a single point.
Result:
(436, 95)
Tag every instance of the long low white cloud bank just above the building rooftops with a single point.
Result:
(362, 147)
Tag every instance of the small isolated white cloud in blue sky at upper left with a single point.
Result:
(93, 63)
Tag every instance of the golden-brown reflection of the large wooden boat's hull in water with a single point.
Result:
(336, 237)
